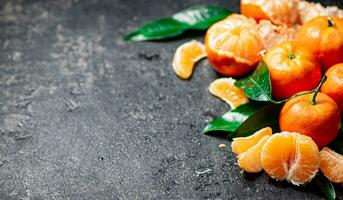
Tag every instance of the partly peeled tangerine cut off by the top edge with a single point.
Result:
(279, 12)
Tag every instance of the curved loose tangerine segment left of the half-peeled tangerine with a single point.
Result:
(186, 56)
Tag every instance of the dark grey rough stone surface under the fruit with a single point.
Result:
(84, 115)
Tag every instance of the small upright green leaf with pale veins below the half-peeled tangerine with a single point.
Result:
(257, 86)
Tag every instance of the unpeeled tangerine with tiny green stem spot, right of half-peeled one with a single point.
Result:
(290, 76)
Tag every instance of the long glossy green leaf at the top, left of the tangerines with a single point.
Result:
(194, 18)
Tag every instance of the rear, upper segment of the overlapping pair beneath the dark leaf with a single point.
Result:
(242, 144)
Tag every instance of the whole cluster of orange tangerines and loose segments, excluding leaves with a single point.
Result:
(297, 56)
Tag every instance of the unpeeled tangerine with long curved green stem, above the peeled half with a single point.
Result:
(321, 121)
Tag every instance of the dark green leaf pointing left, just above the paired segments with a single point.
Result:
(245, 120)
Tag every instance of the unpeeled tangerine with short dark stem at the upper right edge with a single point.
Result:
(326, 42)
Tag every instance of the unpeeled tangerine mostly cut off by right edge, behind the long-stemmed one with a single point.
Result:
(333, 86)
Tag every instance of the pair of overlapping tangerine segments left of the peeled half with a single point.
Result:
(249, 150)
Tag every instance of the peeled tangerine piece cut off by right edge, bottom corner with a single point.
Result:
(331, 164)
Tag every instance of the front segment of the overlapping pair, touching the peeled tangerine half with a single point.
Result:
(250, 161)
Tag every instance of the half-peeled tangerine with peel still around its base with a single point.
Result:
(233, 45)
